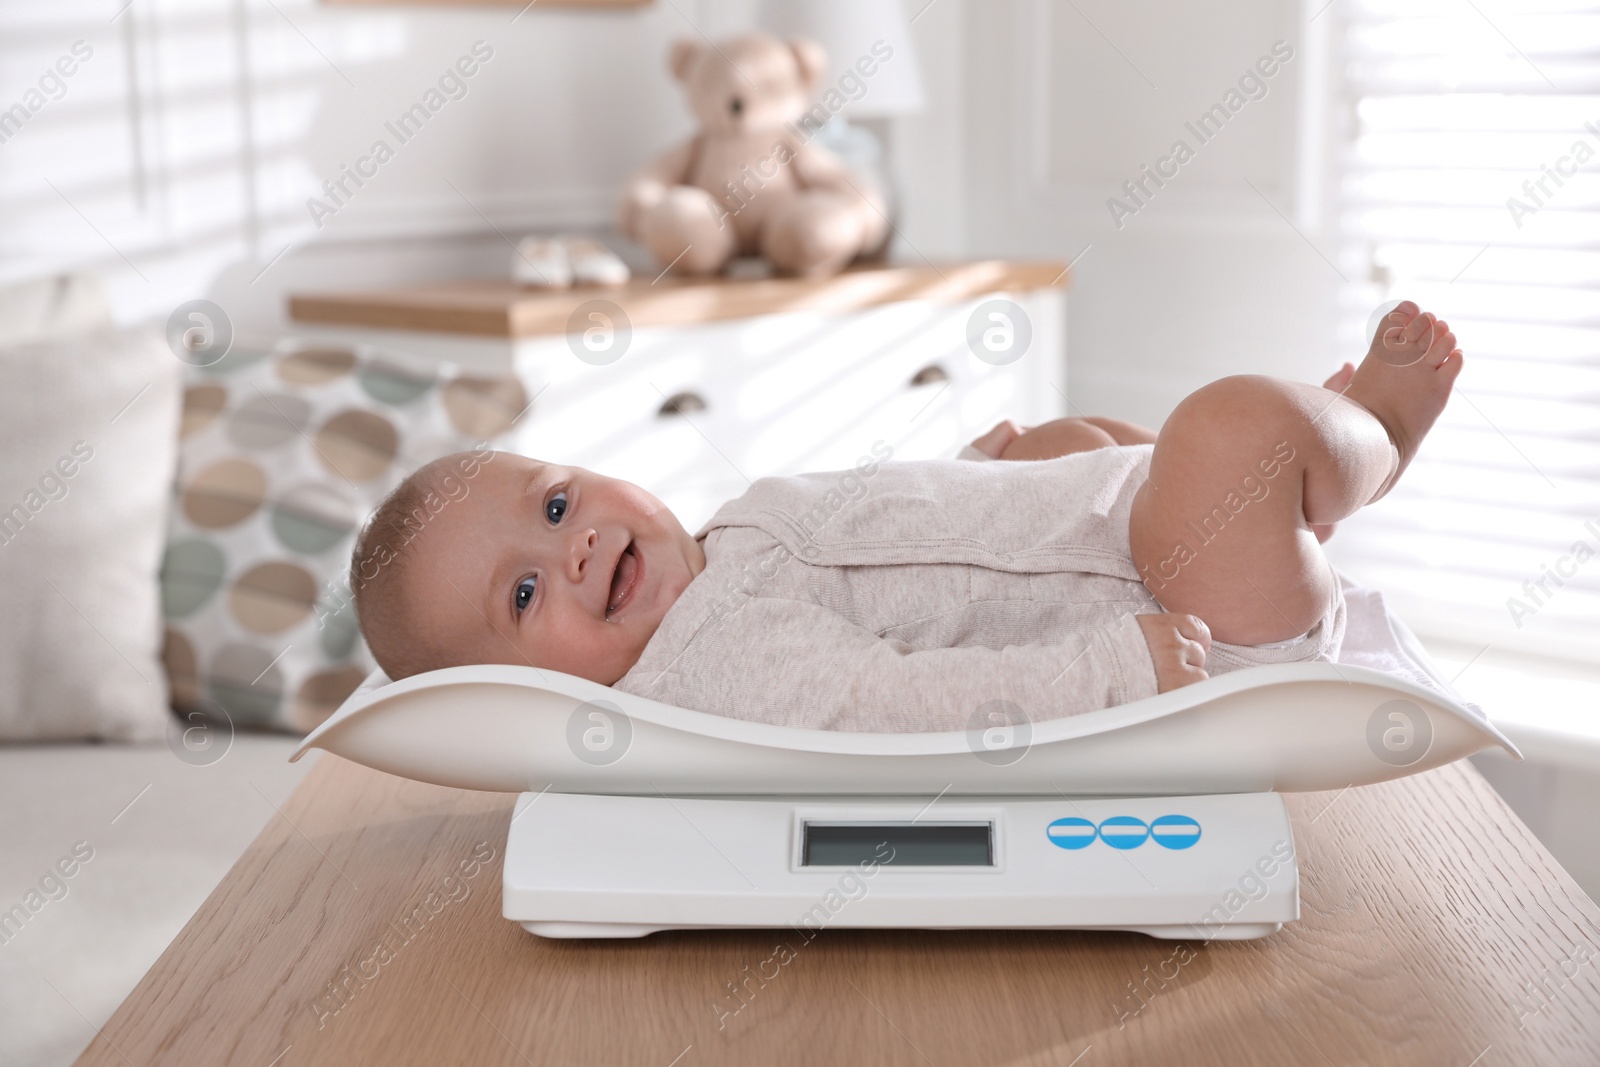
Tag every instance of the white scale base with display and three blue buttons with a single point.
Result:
(1185, 868)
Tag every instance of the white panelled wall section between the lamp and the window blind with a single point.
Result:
(1063, 103)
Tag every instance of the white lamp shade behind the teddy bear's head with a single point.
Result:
(849, 30)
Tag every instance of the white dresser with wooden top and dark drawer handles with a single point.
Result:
(692, 390)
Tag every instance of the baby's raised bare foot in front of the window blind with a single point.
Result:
(1406, 380)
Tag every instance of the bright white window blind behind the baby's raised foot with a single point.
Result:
(1470, 182)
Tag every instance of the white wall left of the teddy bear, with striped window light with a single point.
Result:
(180, 158)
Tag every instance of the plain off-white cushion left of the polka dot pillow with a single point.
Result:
(89, 434)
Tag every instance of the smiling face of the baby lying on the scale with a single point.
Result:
(553, 567)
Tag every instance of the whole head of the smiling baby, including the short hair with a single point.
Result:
(498, 559)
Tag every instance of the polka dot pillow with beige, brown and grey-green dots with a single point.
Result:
(282, 457)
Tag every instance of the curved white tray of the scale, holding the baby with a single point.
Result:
(1287, 729)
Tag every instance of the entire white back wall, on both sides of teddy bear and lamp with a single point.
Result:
(182, 158)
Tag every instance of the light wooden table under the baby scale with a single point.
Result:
(1434, 930)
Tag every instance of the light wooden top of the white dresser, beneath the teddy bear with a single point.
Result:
(494, 308)
